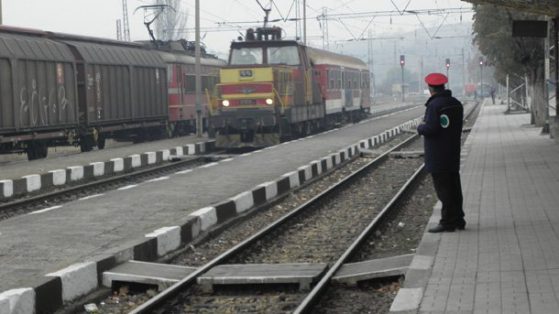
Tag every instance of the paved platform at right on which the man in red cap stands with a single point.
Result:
(507, 259)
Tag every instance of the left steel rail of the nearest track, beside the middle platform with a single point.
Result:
(186, 282)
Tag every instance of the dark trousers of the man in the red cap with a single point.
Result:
(449, 192)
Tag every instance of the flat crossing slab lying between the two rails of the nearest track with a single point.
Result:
(302, 274)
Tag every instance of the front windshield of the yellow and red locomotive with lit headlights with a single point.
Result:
(287, 55)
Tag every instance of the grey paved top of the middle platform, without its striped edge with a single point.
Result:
(84, 230)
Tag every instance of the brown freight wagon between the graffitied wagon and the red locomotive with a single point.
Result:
(122, 90)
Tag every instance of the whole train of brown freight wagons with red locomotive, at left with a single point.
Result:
(59, 89)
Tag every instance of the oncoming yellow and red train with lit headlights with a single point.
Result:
(274, 89)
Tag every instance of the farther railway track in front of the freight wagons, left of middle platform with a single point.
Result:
(69, 193)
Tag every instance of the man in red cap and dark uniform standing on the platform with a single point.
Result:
(442, 132)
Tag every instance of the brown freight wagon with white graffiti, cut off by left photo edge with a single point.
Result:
(38, 103)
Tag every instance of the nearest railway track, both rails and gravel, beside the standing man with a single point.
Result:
(319, 224)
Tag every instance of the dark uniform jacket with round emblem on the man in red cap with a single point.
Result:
(442, 131)
